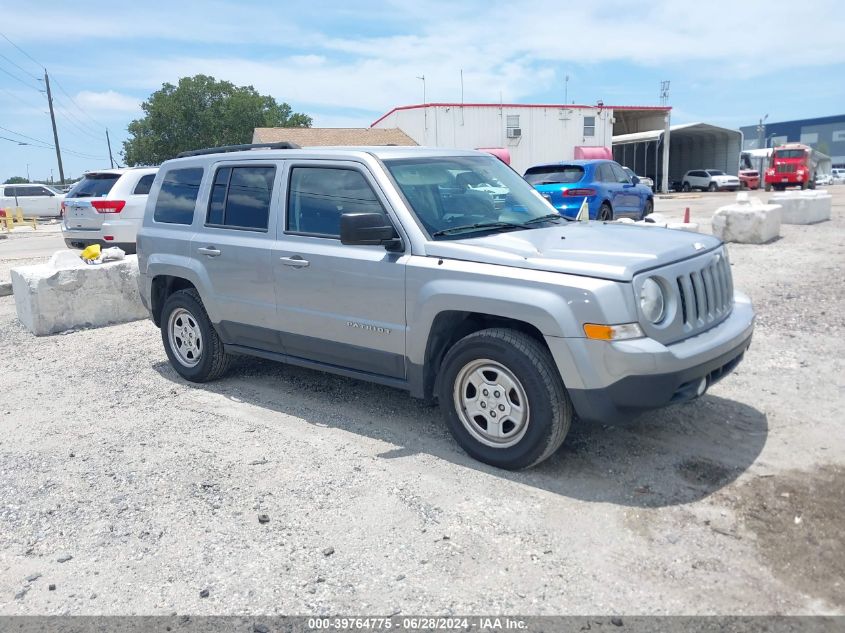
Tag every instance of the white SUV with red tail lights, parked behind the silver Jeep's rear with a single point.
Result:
(107, 207)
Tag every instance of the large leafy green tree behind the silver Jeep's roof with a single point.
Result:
(202, 112)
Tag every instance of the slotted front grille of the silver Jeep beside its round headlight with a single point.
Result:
(706, 295)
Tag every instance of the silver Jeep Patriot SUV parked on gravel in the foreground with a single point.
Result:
(437, 271)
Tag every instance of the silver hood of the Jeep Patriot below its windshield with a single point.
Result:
(591, 249)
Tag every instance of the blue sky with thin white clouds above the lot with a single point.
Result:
(347, 63)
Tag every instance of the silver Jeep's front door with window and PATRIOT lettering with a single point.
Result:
(339, 305)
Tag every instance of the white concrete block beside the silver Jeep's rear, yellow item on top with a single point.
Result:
(67, 293)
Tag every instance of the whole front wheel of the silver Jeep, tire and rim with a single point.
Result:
(503, 399)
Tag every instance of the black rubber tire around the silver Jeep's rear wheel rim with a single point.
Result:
(211, 360)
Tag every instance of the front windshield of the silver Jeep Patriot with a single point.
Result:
(441, 193)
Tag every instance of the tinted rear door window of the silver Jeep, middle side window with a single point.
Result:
(240, 197)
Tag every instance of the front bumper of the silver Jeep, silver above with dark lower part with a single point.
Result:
(617, 380)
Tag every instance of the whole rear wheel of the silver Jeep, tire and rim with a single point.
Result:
(190, 341)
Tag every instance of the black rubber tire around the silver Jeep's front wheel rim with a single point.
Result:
(548, 408)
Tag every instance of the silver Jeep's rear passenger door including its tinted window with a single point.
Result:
(233, 246)
